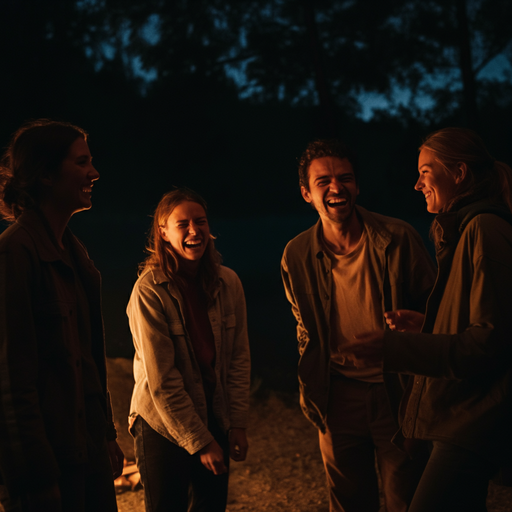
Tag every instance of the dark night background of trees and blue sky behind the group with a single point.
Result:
(223, 96)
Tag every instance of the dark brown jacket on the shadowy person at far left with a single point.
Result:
(42, 421)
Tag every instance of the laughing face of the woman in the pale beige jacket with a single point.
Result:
(188, 232)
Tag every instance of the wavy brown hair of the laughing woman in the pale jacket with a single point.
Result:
(161, 253)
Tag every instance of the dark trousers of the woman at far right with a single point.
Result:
(455, 480)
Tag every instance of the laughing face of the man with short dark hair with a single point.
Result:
(332, 188)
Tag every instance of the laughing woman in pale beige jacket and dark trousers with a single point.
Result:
(190, 402)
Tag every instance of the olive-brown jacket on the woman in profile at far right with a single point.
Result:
(463, 358)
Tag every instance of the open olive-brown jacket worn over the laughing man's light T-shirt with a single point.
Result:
(406, 277)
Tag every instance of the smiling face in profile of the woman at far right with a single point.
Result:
(437, 184)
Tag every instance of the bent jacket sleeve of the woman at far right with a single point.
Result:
(475, 318)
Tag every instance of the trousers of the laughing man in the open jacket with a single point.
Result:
(359, 431)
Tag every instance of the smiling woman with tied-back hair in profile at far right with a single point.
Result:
(460, 351)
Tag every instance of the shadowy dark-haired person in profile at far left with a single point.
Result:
(55, 415)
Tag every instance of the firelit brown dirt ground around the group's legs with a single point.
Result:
(283, 470)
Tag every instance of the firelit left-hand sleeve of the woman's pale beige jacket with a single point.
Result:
(166, 389)
